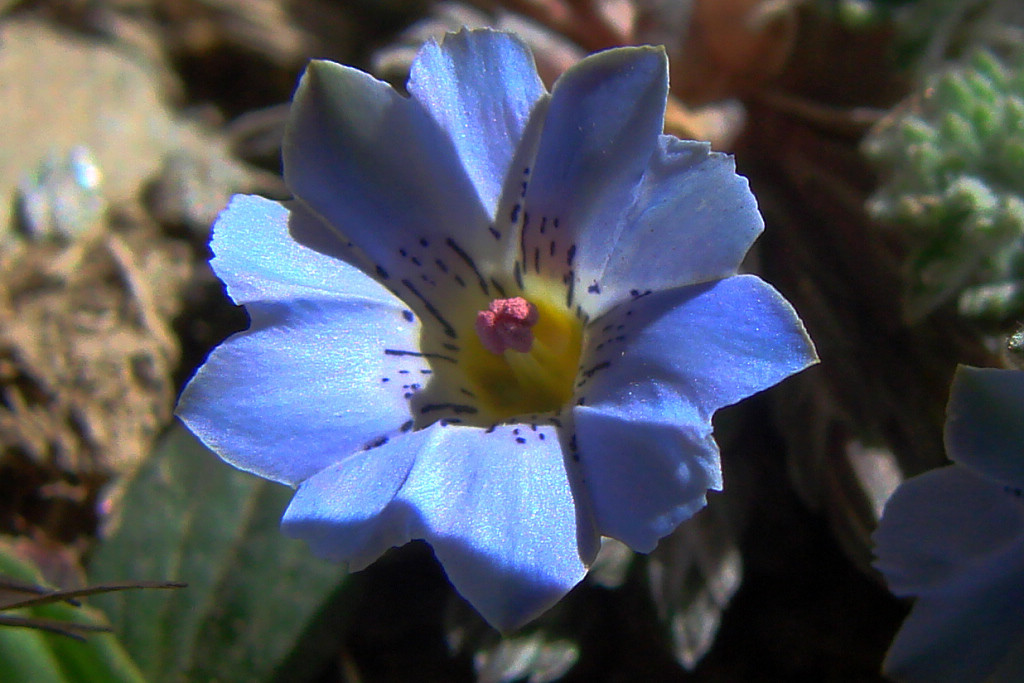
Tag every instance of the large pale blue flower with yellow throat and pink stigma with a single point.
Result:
(364, 379)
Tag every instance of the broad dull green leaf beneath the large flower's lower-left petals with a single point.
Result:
(253, 593)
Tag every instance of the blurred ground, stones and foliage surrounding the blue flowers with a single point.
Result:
(884, 141)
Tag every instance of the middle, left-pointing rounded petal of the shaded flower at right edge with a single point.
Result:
(946, 529)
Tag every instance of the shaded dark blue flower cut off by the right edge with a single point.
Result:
(955, 539)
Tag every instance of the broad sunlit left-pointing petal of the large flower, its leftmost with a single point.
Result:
(311, 382)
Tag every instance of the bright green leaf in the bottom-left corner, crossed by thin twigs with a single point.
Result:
(29, 655)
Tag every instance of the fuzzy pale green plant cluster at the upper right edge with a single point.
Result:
(953, 161)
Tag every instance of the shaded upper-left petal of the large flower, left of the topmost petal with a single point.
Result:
(377, 168)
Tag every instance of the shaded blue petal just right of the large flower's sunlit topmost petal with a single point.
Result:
(603, 126)
